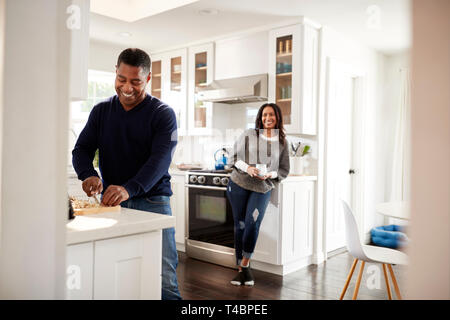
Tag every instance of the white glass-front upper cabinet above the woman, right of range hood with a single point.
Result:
(293, 71)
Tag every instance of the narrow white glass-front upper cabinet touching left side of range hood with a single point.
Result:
(201, 73)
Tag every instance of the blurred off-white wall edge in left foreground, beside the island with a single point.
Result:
(35, 127)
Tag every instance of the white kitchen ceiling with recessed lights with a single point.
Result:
(357, 19)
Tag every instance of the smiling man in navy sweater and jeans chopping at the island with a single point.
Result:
(136, 135)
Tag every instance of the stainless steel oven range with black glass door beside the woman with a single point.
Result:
(209, 218)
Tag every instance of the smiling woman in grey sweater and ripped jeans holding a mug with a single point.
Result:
(250, 188)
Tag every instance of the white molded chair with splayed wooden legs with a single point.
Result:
(367, 253)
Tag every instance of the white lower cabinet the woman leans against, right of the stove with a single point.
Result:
(286, 232)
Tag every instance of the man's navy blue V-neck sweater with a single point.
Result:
(135, 146)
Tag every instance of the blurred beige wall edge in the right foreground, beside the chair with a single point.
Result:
(429, 270)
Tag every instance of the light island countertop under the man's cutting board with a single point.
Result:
(115, 224)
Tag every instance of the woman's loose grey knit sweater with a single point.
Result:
(253, 149)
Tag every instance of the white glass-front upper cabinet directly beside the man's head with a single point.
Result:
(169, 83)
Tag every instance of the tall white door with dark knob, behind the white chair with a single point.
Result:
(342, 140)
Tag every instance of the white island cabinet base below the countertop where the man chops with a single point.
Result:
(120, 268)
